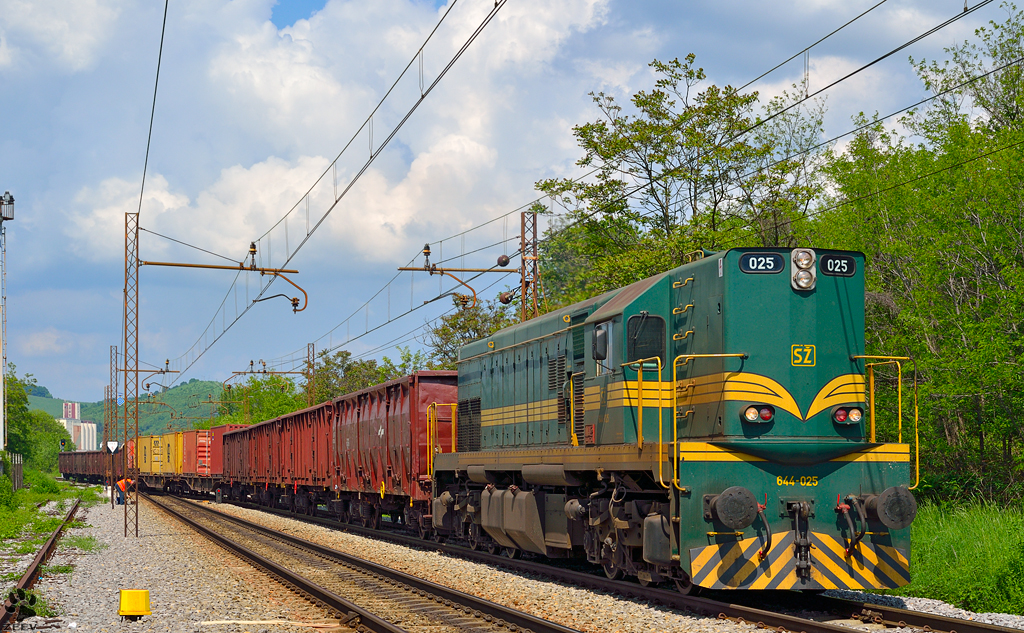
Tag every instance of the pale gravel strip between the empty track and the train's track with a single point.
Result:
(571, 607)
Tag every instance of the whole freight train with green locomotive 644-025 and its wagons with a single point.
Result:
(706, 427)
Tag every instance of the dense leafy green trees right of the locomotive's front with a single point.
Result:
(946, 282)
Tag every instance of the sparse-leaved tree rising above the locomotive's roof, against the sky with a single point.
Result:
(687, 170)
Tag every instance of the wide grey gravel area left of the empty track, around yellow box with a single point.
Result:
(191, 581)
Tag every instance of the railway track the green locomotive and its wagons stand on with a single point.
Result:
(748, 609)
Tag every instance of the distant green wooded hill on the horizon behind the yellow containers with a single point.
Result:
(153, 419)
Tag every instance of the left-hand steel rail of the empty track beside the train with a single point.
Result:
(367, 621)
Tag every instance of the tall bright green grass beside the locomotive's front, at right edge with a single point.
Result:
(971, 557)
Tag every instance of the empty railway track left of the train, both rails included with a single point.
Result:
(377, 600)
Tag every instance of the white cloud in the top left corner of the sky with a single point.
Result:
(70, 32)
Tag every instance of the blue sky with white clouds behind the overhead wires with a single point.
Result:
(257, 100)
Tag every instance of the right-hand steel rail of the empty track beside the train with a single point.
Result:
(499, 612)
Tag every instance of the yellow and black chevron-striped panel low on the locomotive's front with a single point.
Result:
(739, 565)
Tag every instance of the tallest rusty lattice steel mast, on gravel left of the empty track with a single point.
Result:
(132, 373)
